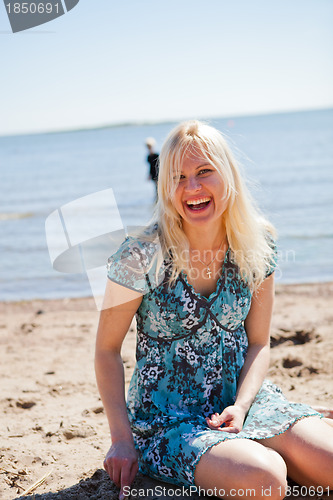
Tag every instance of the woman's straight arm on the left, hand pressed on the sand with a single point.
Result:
(121, 459)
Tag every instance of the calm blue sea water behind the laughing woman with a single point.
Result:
(287, 159)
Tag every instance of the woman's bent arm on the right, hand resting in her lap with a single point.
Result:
(257, 326)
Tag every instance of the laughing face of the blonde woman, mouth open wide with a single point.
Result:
(200, 197)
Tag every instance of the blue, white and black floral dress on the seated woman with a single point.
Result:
(189, 354)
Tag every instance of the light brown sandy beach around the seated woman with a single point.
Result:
(52, 419)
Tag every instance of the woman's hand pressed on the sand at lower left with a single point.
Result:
(121, 463)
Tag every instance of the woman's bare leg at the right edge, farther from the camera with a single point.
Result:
(307, 448)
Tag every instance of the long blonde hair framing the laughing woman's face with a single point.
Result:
(249, 233)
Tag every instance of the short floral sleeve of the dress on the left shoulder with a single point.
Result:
(132, 266)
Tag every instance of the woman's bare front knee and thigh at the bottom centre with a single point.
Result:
(241, 464)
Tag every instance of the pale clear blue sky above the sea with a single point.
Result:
(113, 61)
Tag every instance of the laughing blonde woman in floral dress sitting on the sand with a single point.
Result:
(201, 283)
